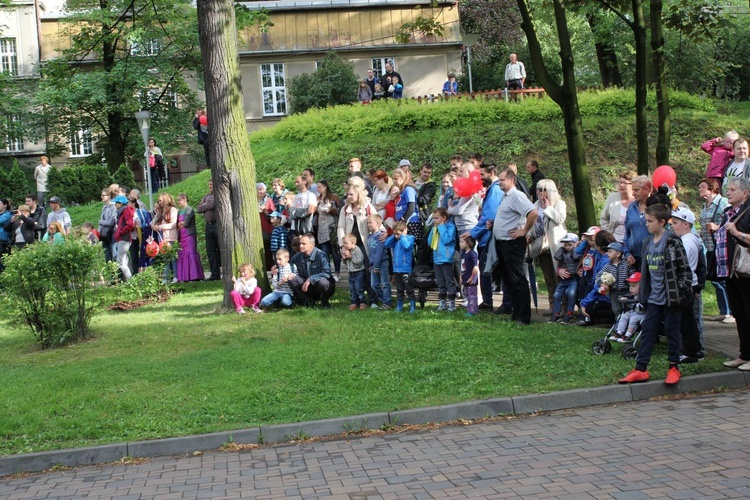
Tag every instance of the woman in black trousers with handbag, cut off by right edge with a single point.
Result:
(733, 263)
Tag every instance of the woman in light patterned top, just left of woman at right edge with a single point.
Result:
(711, 216)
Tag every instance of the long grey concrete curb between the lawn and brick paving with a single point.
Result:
(519, 405)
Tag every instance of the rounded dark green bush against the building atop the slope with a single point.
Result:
(334, 82)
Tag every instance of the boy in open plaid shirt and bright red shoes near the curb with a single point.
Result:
(665, 289)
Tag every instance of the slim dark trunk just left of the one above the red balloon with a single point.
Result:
(641, 76)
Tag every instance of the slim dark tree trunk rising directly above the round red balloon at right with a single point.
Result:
(662, 94)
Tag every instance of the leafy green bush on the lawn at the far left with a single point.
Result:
(49, 288)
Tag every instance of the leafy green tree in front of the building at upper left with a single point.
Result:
(124, 55)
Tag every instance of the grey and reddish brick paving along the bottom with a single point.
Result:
(679, 448)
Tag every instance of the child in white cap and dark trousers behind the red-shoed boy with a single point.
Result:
(692, 317)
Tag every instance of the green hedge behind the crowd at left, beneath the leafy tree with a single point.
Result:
(78, 184)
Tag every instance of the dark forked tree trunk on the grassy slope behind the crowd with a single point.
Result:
(566, 97)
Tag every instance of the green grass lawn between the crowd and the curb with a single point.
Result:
(181, 367)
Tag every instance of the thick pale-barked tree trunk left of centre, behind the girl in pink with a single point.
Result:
(232, 163)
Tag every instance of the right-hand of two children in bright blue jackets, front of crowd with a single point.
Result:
(442, 240)
